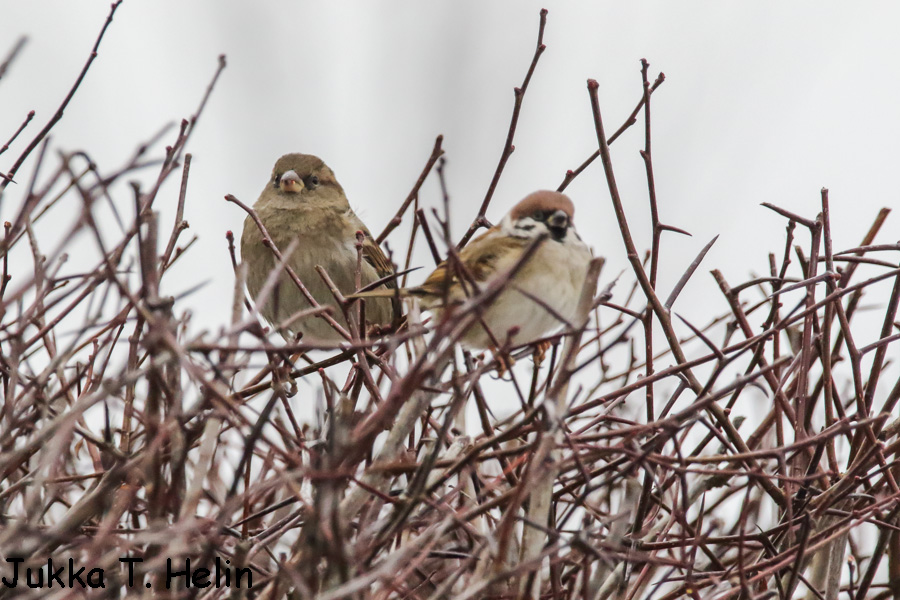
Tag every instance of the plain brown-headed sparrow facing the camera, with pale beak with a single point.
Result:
(303, 201)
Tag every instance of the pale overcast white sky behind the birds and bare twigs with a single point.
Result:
(763, 101)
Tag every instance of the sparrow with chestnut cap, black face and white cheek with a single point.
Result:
(541, 294)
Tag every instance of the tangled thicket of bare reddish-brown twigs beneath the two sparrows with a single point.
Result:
(124, 434)
